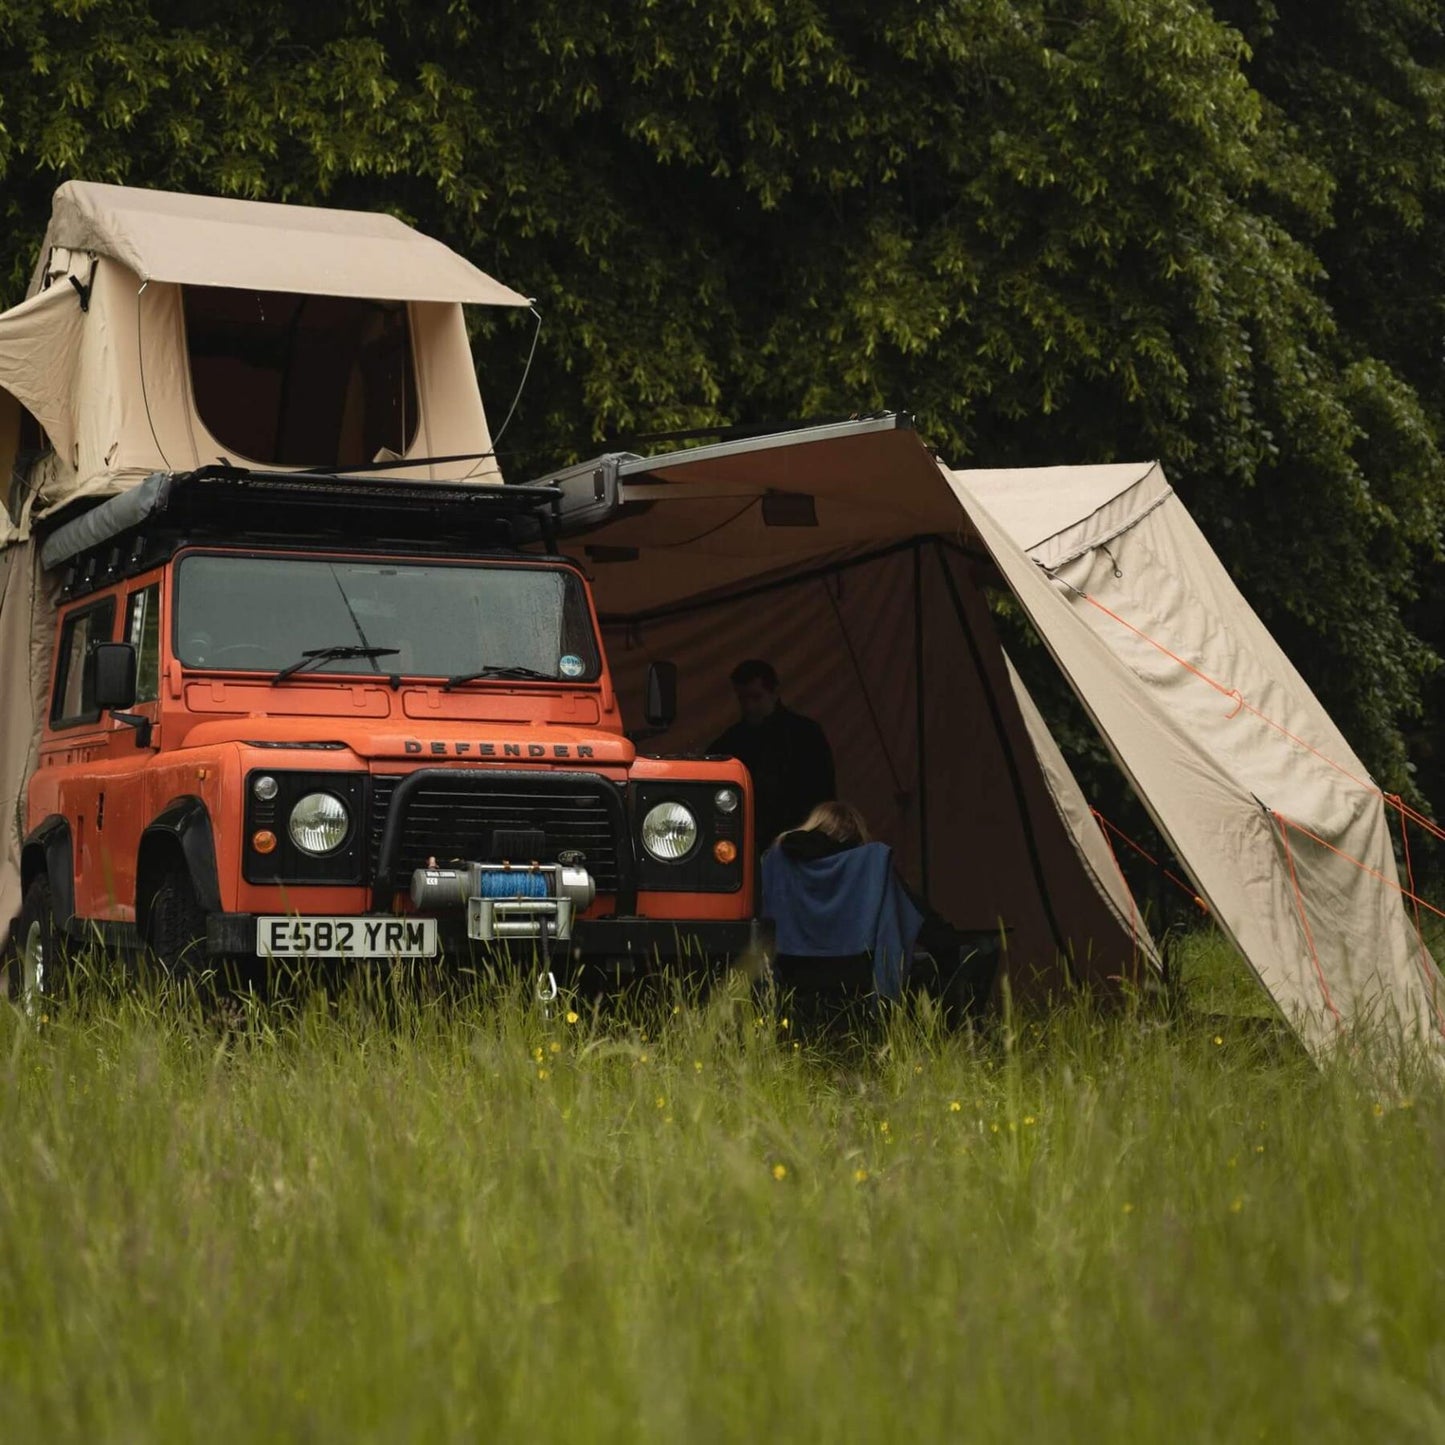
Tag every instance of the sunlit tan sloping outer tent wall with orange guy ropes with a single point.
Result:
(1225, 743)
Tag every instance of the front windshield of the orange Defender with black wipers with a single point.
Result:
(264, 613)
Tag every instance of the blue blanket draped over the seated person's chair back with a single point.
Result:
(847, 904)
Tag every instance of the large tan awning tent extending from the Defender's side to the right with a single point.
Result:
(856, 563)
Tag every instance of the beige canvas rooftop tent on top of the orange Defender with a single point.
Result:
(170, 333)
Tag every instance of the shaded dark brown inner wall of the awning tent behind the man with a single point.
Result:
(898, 658)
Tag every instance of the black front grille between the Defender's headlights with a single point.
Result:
(454, 817)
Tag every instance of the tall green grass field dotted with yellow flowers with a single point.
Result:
(475, 1223)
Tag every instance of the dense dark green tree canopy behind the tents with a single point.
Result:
(1051, 229)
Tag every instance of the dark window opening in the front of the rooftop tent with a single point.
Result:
(296, 381)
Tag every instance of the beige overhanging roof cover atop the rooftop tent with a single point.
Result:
(202, 241)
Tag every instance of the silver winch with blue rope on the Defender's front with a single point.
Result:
(504, 901)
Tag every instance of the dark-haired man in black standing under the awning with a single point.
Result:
(787, 754)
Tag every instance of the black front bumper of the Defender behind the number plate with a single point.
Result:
(606, 940)
